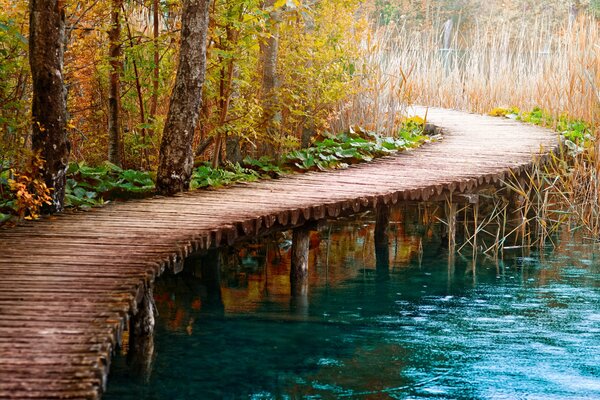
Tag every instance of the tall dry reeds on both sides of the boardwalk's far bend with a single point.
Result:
(527, 64)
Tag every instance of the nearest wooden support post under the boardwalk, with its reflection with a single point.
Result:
(141, 336)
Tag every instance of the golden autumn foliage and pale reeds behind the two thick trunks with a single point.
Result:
(280, 73)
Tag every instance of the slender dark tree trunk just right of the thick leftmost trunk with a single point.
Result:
(114, 99)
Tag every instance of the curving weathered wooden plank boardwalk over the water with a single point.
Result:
(68, 282)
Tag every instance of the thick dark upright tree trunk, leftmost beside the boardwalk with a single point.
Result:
(49, 107)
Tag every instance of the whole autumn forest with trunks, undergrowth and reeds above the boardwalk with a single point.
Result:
(101, 98)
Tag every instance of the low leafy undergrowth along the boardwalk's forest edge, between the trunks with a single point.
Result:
(22, 195)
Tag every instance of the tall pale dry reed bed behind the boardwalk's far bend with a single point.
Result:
(490, 64)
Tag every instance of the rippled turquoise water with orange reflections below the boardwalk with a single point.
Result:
(426, 327)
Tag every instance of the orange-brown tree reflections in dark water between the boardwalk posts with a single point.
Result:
(244, 277)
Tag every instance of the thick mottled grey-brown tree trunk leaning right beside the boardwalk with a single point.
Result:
(176, 159)
